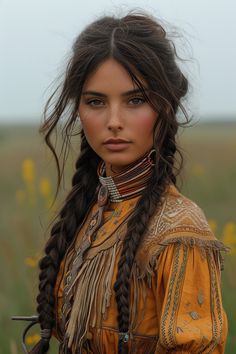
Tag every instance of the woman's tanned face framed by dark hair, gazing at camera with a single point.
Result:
(117, 120)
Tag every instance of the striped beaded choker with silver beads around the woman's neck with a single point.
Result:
(130, 182)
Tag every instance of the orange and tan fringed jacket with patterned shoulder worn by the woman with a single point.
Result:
(175, 299)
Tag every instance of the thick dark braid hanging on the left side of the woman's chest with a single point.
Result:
(84, 183)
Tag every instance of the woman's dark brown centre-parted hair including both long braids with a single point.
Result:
(141, 45)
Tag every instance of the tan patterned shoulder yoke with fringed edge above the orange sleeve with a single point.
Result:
(178, 221)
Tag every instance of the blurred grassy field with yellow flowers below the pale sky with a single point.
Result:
(27, 181)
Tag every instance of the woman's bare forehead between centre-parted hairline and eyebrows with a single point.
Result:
(110, 77)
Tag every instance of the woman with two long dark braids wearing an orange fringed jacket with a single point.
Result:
(131, 265)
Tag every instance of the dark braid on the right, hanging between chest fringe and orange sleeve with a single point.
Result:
(137, 226)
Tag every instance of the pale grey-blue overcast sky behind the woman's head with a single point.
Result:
(36, 37)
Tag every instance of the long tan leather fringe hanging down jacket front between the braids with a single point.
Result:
(92, 297)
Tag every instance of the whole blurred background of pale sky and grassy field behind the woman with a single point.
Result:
(35, 41)
